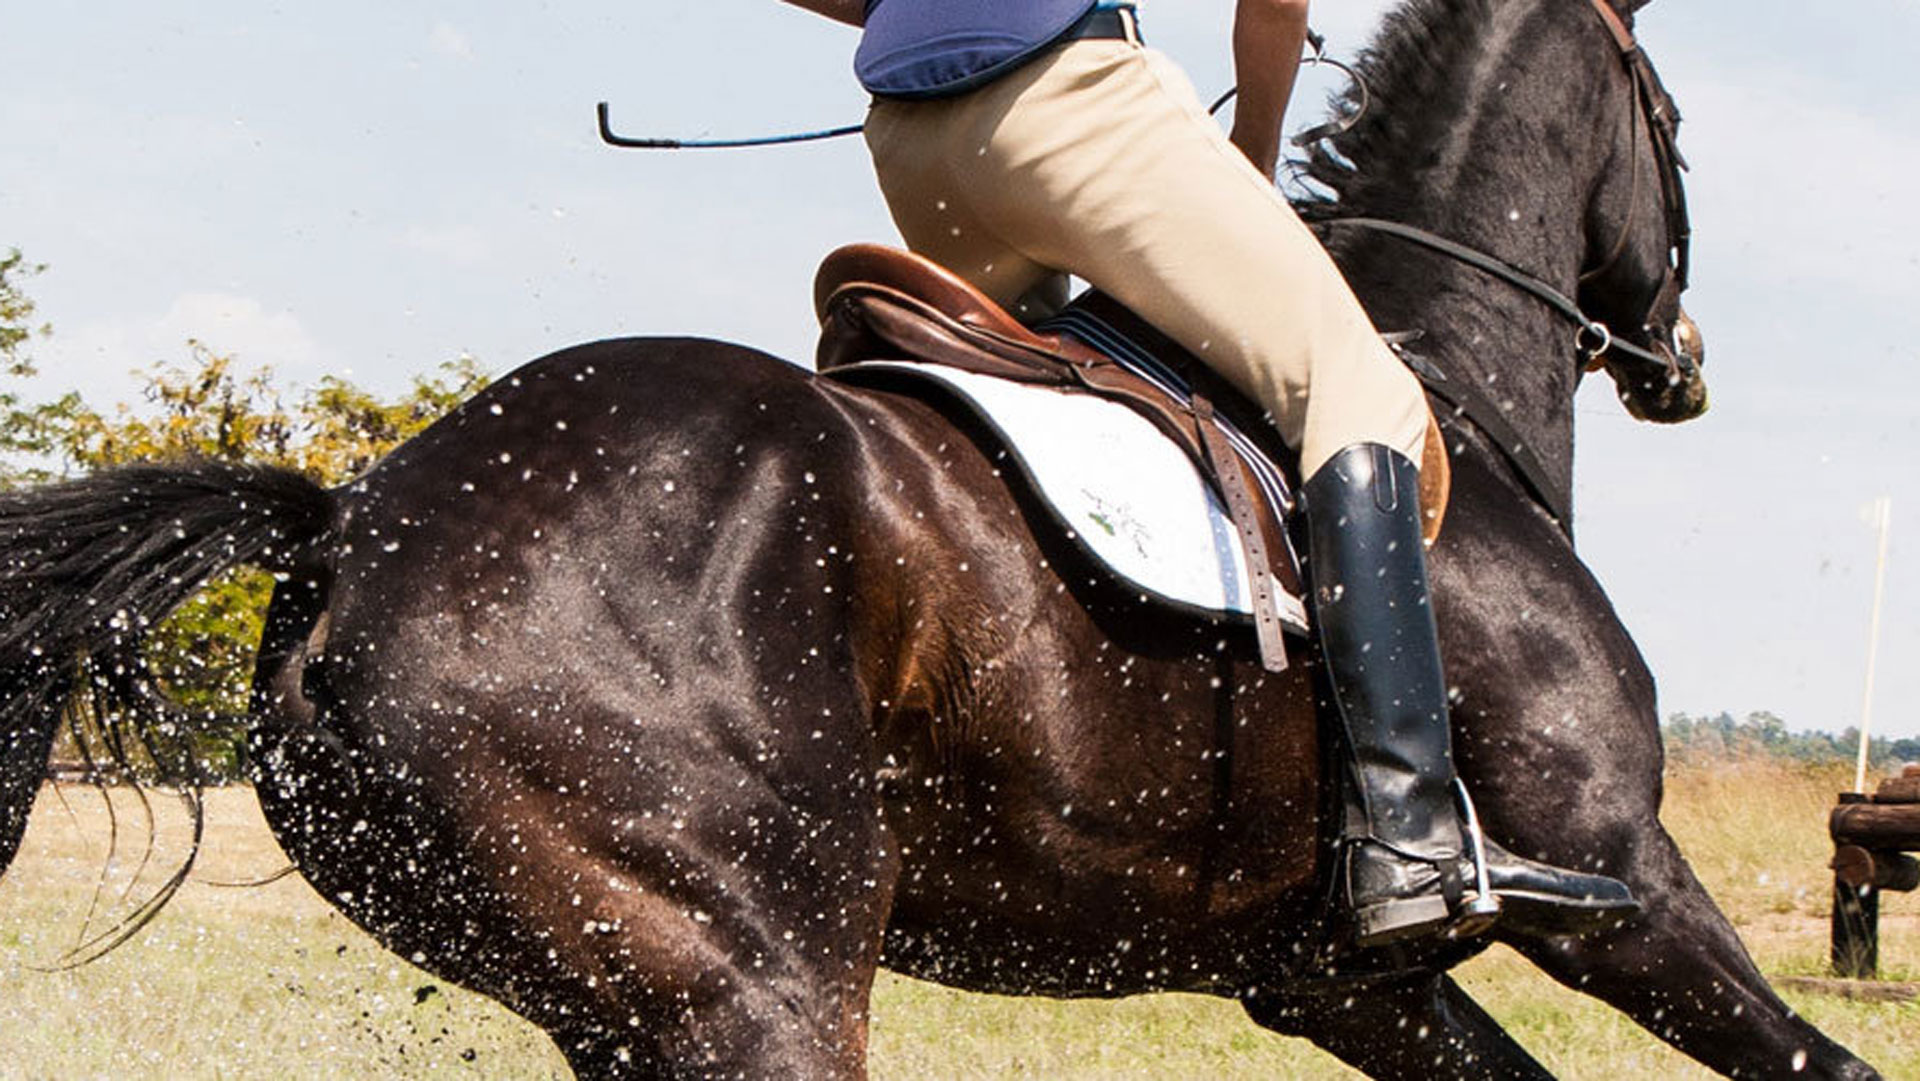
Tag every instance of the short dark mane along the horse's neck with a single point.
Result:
(1412, 62)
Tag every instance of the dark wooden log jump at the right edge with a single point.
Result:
(1873, 838)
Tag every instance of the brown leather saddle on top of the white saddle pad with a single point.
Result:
(882, 304)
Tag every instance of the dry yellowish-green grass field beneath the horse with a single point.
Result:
(270, 982)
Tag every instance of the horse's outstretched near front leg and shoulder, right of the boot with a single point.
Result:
(1560, 744)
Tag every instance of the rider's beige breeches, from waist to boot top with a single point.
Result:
(1099, 160)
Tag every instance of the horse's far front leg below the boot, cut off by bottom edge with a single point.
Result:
(1414, 1026)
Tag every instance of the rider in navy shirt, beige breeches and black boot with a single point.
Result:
(1019, 141)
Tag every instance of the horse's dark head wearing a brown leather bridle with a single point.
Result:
(1639, 247)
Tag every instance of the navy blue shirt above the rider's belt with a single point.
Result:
(934, 49)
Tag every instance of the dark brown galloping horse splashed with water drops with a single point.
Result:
(665, 690)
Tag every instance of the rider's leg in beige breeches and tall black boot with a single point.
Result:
(1099, 158)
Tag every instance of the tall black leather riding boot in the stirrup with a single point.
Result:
(1408, 863)
